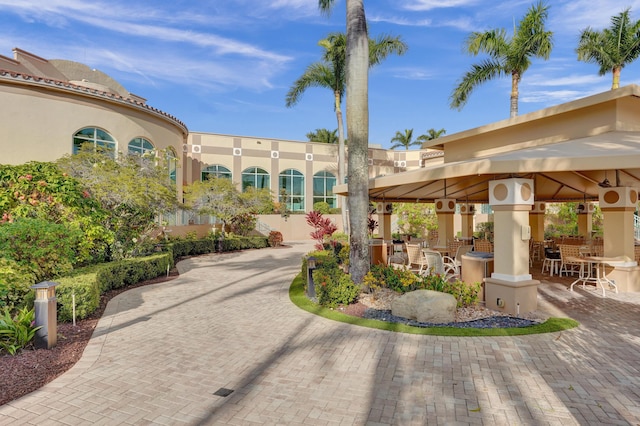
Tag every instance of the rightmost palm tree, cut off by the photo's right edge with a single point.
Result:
(613, 47)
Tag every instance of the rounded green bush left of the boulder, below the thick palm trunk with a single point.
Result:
(334, 287)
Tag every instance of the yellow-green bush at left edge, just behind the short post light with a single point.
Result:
(15, 285)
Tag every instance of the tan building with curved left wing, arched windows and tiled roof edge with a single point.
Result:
(48, 108)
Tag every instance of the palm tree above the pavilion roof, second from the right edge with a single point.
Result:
(507, 56)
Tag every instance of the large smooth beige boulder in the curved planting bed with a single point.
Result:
(425, 306)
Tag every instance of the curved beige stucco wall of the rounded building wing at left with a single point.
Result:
(37, 124)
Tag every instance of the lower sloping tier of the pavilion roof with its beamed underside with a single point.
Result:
(565, 171)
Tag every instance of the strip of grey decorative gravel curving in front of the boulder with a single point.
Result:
(501, 321)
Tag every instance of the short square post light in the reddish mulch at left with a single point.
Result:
(46, 318)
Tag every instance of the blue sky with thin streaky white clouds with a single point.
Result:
(225, 66)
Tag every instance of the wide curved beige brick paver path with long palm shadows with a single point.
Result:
(161, 352)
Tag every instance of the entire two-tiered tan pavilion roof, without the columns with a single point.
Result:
(567, 150)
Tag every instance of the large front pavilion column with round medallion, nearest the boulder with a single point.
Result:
(511, 288)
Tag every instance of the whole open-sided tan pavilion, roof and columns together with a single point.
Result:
(584, 151)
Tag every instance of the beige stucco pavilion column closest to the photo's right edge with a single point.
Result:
(618, 205)
